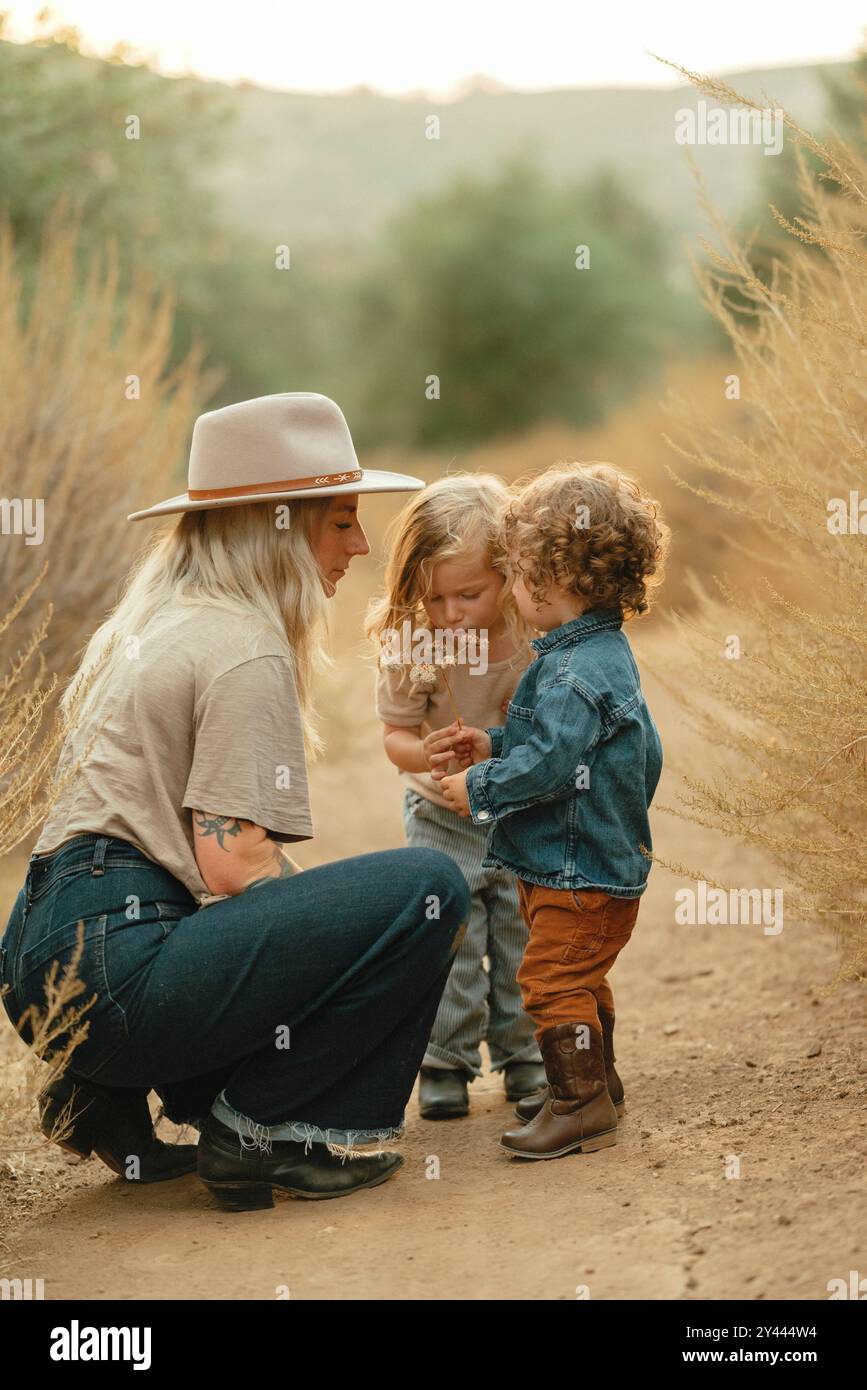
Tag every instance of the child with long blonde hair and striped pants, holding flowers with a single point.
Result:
(447, 587)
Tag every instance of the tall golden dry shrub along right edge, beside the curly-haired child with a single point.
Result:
(776, 664)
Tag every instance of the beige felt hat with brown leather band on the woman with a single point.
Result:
(291, 445)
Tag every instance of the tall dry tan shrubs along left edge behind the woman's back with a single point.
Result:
(74, 436)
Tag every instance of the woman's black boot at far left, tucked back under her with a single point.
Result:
(116, 1125)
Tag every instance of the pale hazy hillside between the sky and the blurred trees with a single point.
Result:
(298, 163)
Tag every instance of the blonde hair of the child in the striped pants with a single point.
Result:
(455, 518)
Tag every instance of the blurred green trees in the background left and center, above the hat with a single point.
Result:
(476, 286)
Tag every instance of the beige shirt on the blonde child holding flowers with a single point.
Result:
(480, 701)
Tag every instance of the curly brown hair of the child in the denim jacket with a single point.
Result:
(590, 530)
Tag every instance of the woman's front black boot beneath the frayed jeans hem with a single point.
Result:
(241, 1179)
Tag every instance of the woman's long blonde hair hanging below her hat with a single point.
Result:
(236, 559)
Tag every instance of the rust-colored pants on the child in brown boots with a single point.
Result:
(576, 938)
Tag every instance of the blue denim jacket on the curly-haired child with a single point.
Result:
(575, 768)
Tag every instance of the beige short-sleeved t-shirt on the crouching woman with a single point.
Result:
(205, 717)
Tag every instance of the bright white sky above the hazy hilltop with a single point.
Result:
(409, 47)
